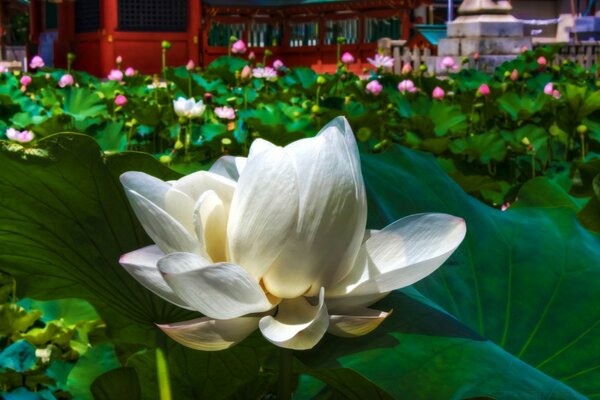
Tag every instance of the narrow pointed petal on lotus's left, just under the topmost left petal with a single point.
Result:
(164, 230)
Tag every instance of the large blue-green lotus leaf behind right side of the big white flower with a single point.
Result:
(527, 279)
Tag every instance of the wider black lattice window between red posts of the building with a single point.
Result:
(153, 15)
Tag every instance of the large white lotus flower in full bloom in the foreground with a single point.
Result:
(278, 242)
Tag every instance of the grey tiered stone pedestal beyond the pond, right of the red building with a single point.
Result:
(484, 27)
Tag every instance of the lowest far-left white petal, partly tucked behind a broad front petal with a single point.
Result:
(142, 264)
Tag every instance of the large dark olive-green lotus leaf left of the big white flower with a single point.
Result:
(64, 223)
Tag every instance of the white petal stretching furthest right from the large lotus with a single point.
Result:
(403, 253)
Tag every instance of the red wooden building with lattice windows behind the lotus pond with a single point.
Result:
(299, 32)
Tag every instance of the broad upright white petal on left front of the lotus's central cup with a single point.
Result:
(263, 211)
